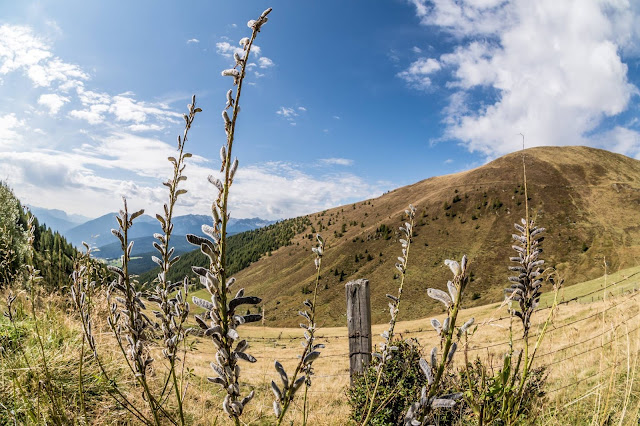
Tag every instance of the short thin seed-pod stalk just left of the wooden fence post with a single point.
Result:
(284, 396)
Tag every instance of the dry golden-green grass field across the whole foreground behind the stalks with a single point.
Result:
(591, 361)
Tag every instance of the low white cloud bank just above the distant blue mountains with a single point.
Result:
(136, 167)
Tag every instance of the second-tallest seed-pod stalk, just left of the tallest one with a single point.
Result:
(172, 311)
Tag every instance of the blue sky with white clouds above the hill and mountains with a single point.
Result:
(345, 100)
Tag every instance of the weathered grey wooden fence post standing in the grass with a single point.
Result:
(359, 325)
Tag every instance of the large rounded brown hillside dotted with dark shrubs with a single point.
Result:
(588, 199)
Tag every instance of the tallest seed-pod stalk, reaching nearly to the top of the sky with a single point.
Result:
(220, 319)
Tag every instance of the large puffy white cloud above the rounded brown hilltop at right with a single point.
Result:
(554, 70)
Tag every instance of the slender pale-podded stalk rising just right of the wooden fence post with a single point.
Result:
(387, 348)
